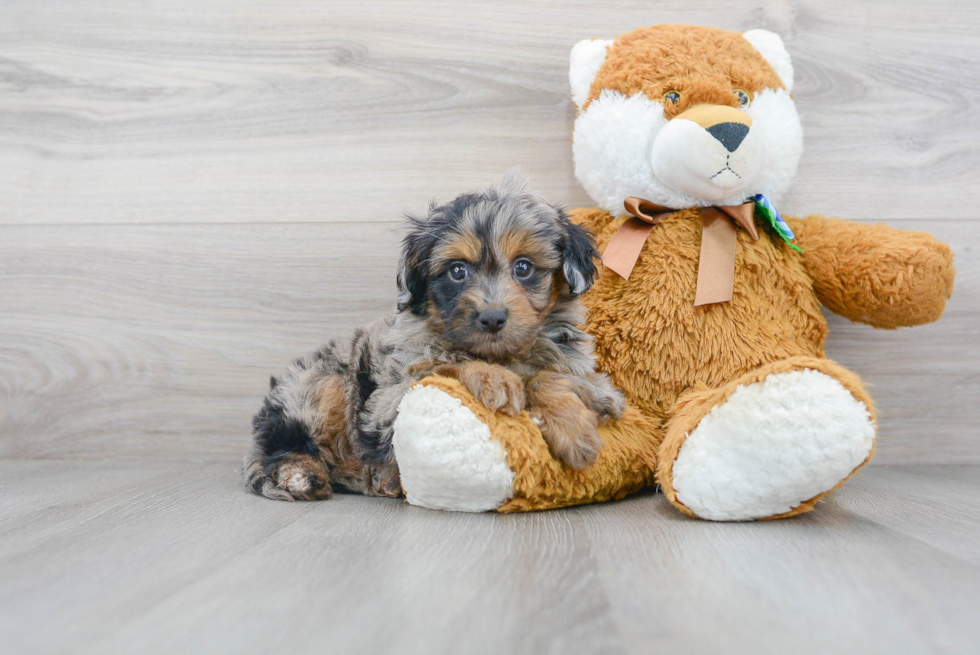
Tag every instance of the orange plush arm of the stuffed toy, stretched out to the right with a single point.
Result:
(876, 274)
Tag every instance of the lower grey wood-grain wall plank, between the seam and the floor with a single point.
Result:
(128, 341)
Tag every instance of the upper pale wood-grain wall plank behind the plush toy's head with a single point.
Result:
(211, 111)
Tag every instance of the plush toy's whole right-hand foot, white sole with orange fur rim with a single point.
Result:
(768, 445)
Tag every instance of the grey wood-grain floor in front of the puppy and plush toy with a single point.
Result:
(165, 557)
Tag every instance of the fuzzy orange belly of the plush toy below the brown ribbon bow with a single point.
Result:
(656, 344)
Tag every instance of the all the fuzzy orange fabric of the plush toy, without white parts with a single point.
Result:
(675, 361)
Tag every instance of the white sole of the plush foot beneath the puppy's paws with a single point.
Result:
(445, 455)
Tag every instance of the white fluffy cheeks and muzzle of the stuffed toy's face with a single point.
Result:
(620, 145)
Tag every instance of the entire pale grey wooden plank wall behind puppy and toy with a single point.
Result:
(193, 192)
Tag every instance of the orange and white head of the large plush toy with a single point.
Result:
(684, 116)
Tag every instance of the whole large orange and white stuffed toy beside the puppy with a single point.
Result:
(707, 310)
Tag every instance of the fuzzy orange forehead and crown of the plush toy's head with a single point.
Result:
(702, 65)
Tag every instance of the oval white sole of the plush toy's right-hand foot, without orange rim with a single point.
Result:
(771, 446)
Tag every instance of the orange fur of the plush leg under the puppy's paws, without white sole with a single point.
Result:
(625, 465)
